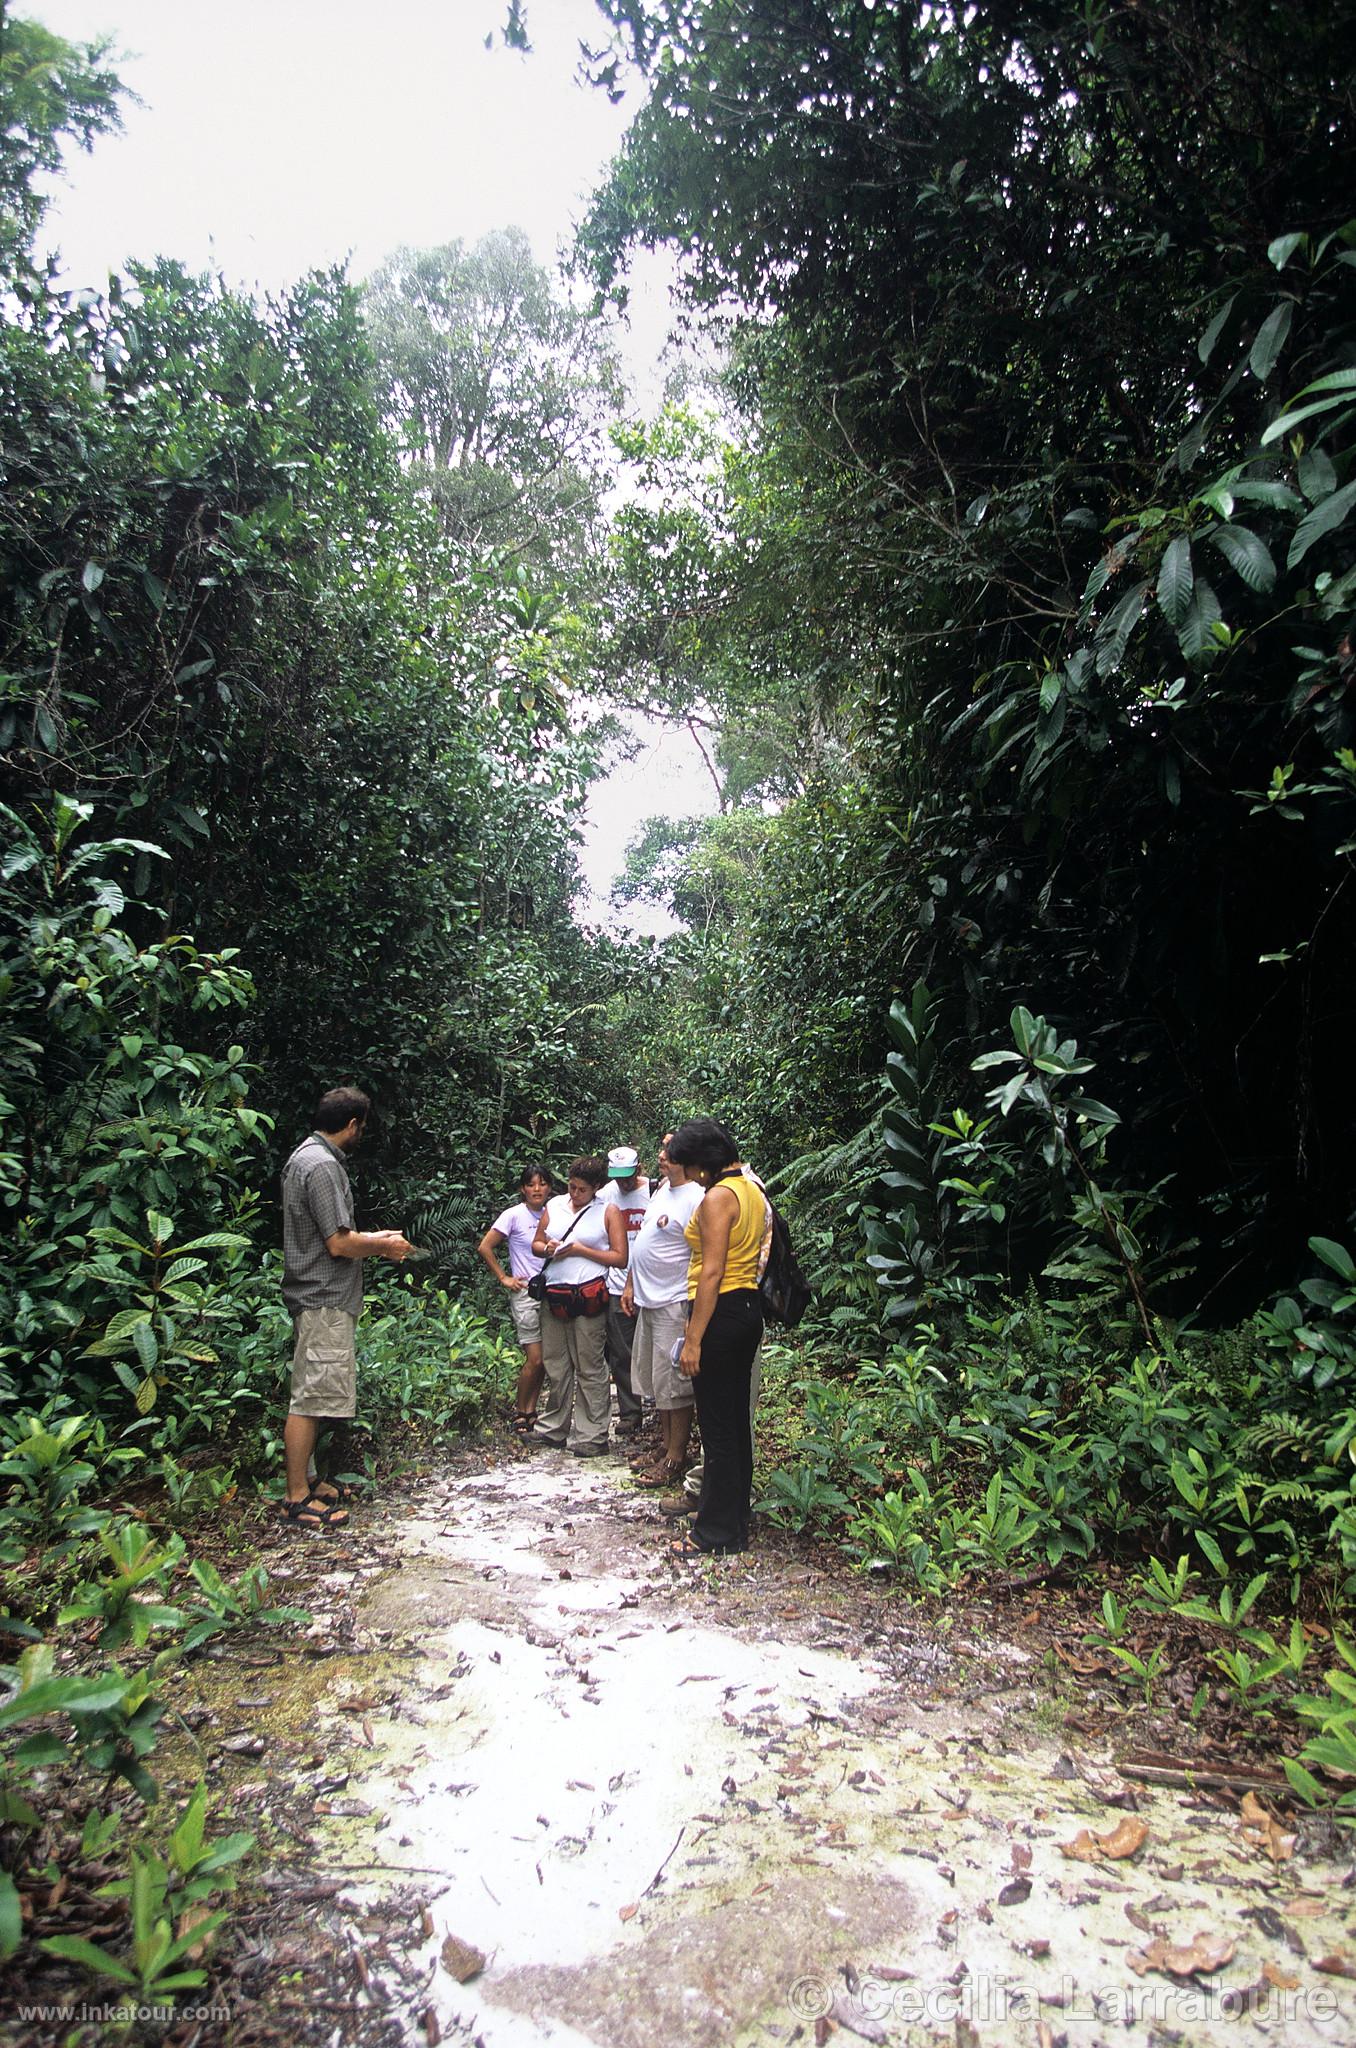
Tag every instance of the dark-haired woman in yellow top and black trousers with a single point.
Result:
(724, 1330)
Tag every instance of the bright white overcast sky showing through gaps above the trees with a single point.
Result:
(280, 136)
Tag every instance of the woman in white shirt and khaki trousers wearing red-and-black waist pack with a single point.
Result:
(581, 1236)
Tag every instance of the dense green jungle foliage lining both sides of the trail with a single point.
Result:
(1005, 568)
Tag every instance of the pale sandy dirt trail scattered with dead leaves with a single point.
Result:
(700, 1809)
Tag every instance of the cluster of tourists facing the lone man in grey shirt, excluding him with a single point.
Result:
(654, 1291)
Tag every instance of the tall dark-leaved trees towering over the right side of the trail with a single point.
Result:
(1035, 304)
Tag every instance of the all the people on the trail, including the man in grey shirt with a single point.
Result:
(611, 1283)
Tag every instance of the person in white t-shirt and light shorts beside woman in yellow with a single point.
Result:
(656, 1291)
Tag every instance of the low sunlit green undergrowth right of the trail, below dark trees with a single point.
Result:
(1035, 1431)
